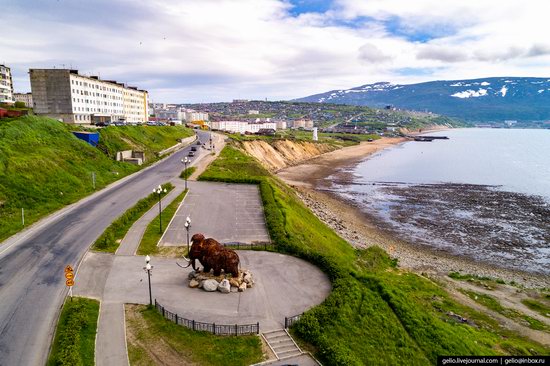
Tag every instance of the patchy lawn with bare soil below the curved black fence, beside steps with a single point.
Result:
(151, 337)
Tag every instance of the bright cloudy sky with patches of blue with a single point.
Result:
(187, 51)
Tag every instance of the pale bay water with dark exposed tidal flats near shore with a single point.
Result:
(483, 193)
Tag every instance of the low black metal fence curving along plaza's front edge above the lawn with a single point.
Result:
(218, 329)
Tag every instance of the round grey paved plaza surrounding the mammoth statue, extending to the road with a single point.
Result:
(284, 286)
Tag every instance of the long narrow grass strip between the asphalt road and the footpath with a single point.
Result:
(110, 240)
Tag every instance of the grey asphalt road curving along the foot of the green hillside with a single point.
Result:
(32, 283)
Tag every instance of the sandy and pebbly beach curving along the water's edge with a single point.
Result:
(360, 231)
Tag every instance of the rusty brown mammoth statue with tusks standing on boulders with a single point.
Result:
(213, 255)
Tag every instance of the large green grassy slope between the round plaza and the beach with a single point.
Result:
(375, 313)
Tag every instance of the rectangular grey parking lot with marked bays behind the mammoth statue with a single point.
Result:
(226, 212)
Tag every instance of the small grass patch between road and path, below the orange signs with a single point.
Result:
(74, 342)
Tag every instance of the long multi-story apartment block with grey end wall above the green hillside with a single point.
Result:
(73, 98)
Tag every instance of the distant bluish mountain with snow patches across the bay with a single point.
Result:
(484, 100)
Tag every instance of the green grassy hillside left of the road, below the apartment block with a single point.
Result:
(44, 167)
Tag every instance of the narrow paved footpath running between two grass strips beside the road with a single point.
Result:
(131, 240)
